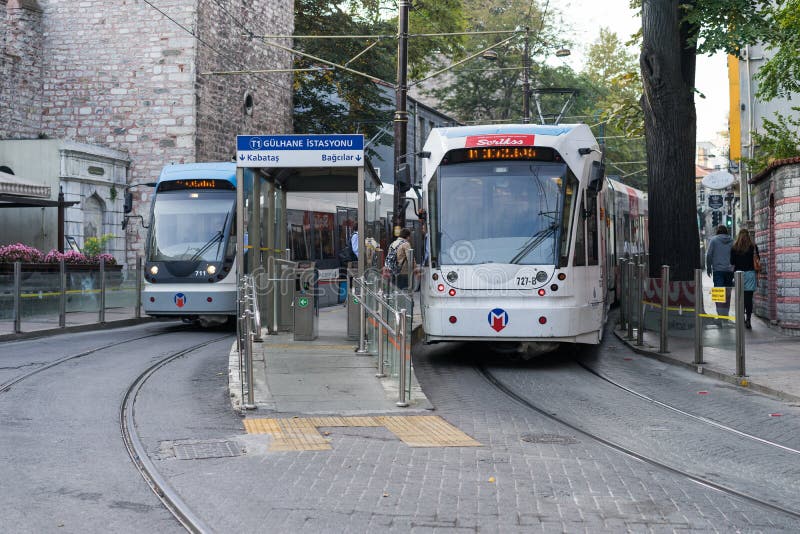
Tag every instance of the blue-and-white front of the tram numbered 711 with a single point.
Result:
(190, 255)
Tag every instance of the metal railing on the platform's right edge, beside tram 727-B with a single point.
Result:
(385, 325)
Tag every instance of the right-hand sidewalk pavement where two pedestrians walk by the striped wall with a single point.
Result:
(772, 359)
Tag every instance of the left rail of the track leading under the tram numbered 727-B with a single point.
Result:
(704, 481)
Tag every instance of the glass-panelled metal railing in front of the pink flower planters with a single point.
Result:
(38, 293)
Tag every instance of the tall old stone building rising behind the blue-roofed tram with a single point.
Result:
(141, 78)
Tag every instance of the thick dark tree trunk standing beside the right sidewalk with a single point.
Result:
(667, 63)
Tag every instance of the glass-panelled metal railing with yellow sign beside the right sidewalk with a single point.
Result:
(645, 304)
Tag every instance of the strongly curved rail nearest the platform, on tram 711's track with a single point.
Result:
(138, 452)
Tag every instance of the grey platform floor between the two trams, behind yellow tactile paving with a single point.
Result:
(324, 376)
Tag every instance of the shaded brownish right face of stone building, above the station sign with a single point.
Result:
(222, 113)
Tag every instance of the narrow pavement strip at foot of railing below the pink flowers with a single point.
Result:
(46, 325)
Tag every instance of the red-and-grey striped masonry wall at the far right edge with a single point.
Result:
(777, 230)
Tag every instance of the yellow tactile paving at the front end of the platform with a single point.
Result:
(301, 434)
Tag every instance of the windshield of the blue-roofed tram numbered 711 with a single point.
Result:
(191, 225)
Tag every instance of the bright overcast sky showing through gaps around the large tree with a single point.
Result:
(588, 16)
